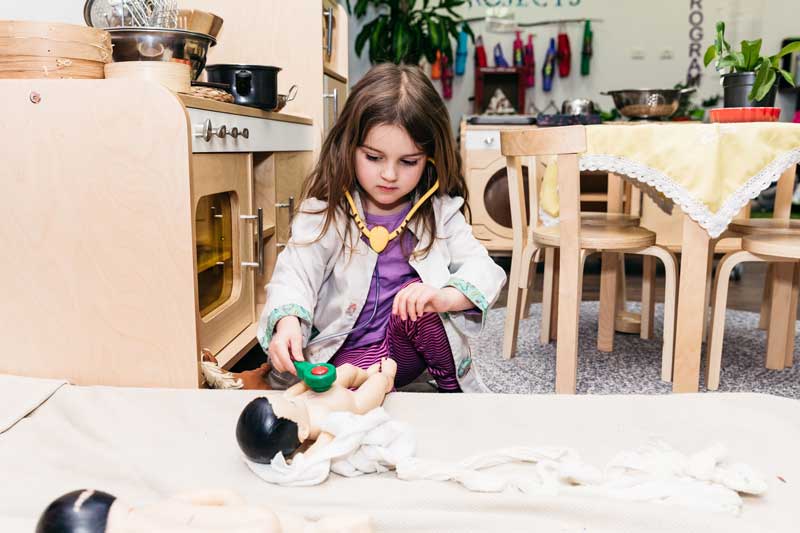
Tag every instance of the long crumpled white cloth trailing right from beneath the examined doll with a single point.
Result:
(655, 472)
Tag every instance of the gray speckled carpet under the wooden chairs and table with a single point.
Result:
(635, 364)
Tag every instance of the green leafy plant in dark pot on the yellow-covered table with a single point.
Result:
(748, 78)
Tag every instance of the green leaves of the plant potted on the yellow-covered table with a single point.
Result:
(749, 59)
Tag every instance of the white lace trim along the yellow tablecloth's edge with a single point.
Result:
(713, 223)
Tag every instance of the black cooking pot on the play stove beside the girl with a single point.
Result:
(251, 85)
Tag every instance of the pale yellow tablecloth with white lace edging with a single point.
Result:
(710, 170)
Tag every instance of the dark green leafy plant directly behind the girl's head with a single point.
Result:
(403, 33)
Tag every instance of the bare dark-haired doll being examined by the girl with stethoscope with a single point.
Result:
(284, 423)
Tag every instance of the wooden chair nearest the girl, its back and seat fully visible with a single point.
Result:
(574, 237)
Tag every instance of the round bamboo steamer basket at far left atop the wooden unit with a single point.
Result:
(52, 50)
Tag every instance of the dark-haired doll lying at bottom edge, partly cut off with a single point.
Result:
(91, 511)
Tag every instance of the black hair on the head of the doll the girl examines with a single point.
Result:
(261, 434)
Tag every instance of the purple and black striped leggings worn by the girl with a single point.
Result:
(415, 346)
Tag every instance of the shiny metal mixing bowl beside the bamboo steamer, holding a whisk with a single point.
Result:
(155, 44)
